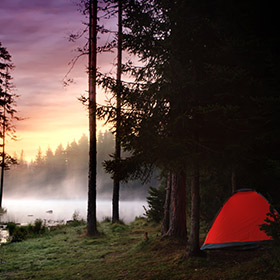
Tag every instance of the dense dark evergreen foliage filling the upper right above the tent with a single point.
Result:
(205, 90)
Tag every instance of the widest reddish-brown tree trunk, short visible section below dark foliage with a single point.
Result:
(177, 224)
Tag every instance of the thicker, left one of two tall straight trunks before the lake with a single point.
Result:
(91, 215)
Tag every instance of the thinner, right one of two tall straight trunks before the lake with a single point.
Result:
(116, 187)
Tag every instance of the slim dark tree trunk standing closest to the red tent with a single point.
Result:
(194, 246)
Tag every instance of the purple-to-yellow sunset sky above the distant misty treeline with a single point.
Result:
(35, 32)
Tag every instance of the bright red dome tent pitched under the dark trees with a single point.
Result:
(237, 223)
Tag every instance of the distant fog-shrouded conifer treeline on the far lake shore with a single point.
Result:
(63, 173)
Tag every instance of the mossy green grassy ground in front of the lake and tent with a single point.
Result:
(122, 252)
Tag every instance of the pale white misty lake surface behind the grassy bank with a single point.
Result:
(26, 211)
